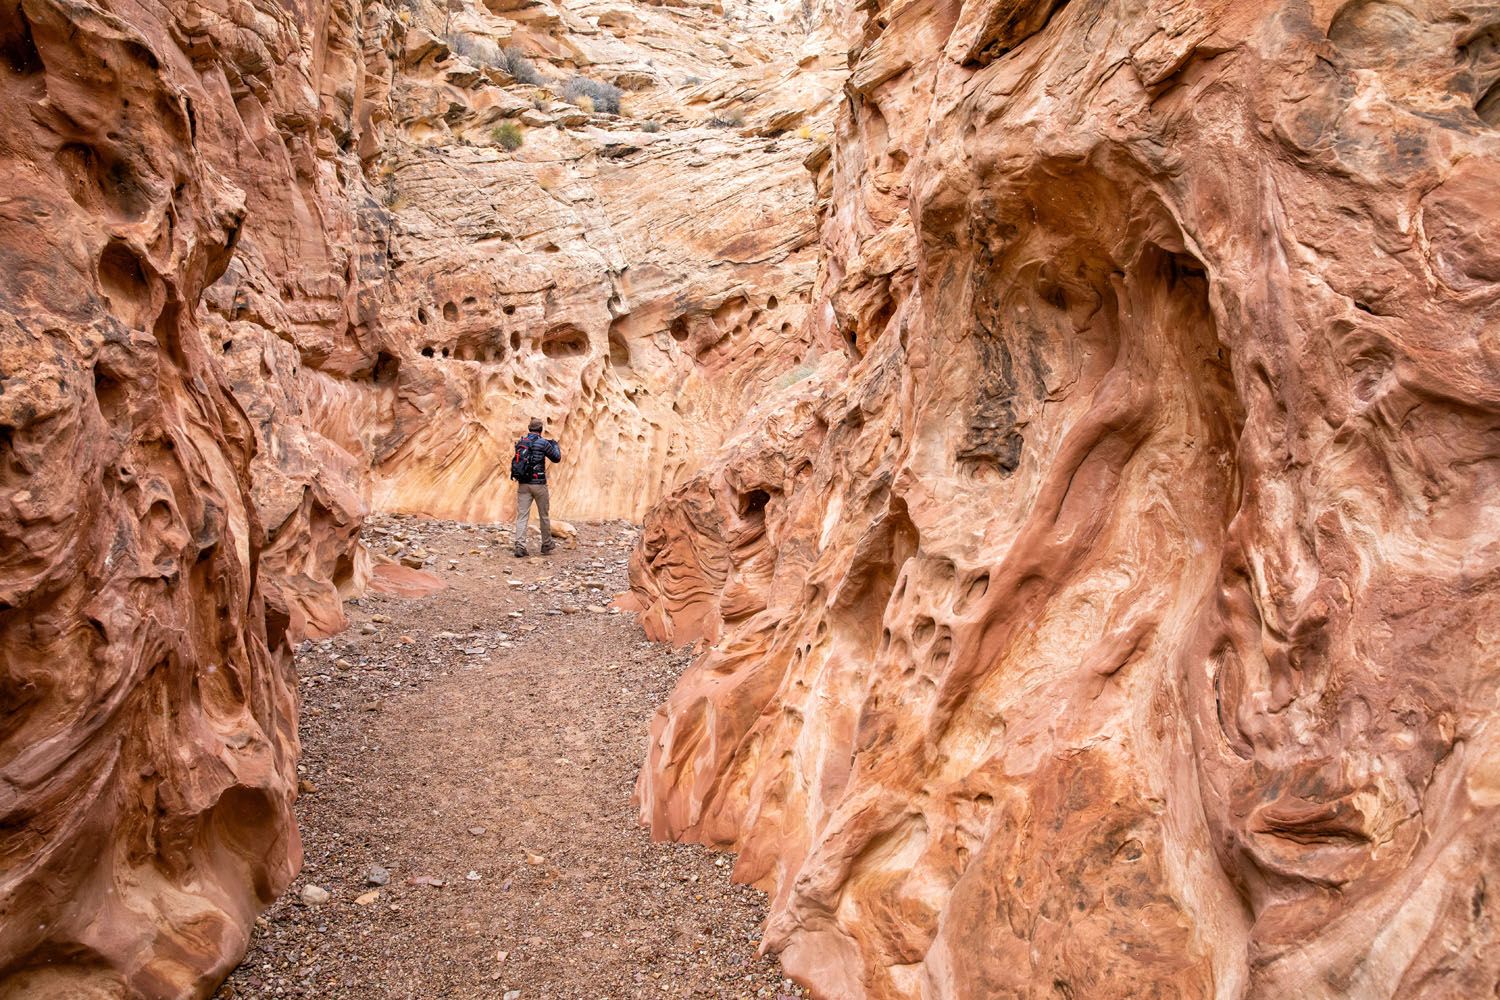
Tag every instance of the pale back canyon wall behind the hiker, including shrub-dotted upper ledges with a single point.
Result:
(637, 280)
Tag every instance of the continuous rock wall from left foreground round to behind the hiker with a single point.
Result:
(271, 266)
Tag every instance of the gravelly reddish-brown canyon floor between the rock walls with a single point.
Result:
(469, 762)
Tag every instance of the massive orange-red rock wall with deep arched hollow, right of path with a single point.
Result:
(1118, 617)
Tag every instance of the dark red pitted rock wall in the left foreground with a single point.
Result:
(149, 735)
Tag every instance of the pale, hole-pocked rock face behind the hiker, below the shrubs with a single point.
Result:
(590, 290)
